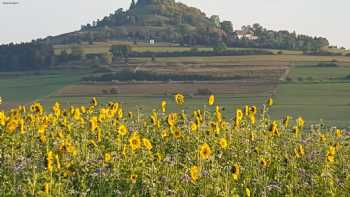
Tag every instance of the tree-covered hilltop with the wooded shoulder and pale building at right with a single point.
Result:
(170, 21)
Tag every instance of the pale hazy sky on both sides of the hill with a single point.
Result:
(31, 19)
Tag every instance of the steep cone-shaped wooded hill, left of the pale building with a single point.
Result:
(161, 20)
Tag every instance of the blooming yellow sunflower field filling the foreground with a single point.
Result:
(102, 150)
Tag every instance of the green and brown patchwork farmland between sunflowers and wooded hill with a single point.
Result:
(298, 85)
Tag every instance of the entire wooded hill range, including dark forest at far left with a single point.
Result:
(165, 21)
